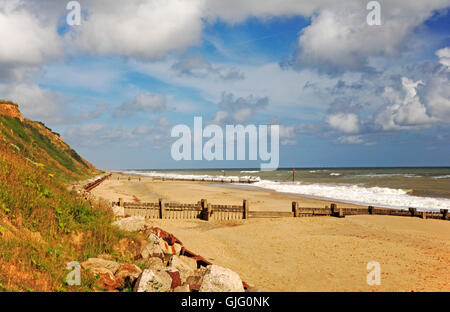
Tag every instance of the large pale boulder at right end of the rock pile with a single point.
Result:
(219, 279)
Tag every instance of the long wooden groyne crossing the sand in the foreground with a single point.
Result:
(206, 211)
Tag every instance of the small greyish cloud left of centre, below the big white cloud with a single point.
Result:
(143, 102)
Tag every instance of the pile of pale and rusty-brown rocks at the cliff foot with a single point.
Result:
(167, 267)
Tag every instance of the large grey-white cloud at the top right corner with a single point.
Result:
(340, 39)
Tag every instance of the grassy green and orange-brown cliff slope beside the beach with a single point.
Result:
(43, 225)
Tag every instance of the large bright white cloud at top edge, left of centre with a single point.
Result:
(136, 28)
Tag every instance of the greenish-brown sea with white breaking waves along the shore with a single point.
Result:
(424, 188)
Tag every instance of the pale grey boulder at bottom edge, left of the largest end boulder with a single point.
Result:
(153, 281)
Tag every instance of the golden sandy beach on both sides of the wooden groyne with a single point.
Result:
(301, 254)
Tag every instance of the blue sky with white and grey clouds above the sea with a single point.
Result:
(345, 93)
